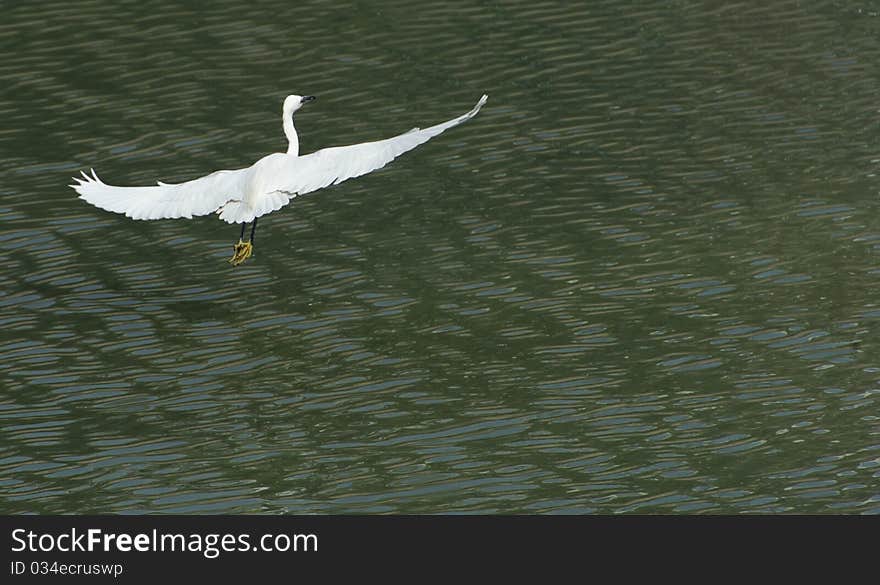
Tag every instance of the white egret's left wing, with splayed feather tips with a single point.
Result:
(197, 197)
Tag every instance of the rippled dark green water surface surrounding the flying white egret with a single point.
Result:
(643, 279)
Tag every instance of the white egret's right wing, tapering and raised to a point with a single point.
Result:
(331, 166)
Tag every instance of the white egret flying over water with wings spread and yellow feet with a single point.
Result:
(243, 195)
